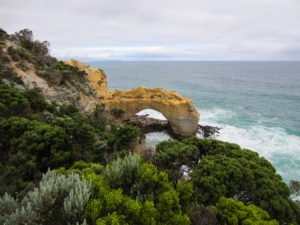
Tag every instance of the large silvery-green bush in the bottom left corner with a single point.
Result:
(58, 197)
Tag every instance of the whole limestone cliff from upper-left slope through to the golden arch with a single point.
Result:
(77, 83)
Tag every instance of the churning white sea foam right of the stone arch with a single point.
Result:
(273, 143)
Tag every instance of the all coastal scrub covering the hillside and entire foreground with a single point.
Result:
(58, 166)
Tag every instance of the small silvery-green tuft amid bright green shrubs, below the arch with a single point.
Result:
(123, 172)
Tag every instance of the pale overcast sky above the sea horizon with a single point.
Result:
(160, 29)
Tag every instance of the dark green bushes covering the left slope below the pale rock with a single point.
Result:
(46, 135)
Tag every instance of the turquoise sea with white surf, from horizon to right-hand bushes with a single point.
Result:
(256, 103)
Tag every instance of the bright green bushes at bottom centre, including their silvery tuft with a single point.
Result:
(132, 192)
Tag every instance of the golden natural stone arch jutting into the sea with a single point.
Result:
(180, 112)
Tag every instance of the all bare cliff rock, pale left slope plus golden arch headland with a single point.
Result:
(180, 112)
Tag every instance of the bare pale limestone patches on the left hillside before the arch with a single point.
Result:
(82, 94)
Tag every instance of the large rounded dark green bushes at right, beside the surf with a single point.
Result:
(224, 169)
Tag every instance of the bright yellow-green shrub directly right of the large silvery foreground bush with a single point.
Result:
(112, 207)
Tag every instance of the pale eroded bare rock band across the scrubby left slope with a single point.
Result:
(82, 95)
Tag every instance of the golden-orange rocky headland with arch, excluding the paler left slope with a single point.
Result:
(180, 111)
